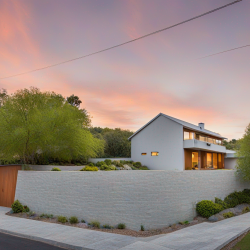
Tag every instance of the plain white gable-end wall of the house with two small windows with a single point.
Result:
(164, 136)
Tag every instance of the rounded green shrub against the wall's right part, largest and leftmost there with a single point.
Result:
(207, 208)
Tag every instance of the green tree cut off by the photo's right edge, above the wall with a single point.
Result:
(243, 164)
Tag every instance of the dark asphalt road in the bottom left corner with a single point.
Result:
(9, 242)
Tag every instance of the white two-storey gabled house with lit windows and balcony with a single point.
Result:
(167, 143)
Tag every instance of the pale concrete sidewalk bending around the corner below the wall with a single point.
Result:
(205, 236)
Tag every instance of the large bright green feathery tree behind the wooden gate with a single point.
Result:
(35, 124)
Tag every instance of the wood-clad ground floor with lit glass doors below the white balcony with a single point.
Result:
(203, 160)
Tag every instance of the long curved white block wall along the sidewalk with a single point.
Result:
(154, 199)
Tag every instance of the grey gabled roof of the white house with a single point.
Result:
(183, 123)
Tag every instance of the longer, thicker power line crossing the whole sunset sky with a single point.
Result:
(121, 44)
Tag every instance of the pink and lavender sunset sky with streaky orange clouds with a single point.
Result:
(128, 86)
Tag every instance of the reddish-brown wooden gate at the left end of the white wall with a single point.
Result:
(8, 178)
